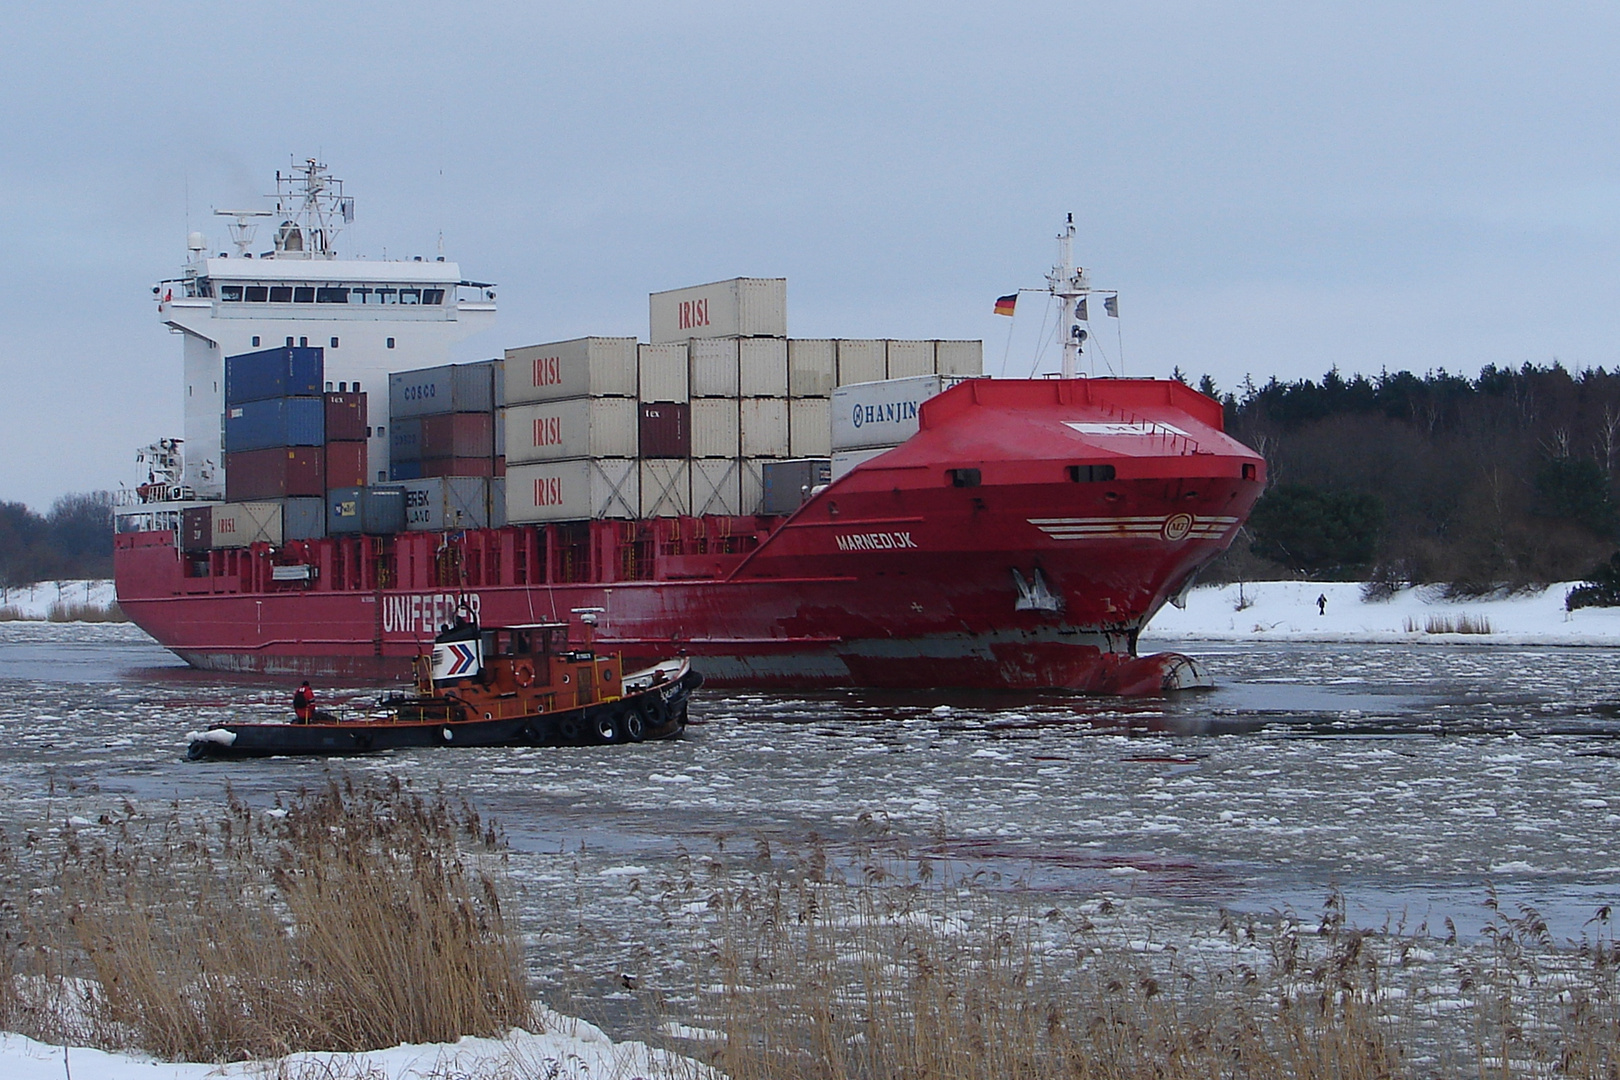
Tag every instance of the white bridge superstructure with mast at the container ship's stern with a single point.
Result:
(370, 317)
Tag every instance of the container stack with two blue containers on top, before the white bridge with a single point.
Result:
(288, 441)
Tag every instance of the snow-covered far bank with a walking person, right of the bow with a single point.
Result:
(1287, 611)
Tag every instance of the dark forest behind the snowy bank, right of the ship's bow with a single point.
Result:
(1506, 480)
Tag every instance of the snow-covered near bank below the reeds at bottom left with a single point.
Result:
(569, 1050)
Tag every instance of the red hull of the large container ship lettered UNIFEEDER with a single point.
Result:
(983, 553)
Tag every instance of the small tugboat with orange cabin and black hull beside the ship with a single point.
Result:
(505, 687)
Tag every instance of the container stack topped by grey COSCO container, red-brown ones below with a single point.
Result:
(446, 446)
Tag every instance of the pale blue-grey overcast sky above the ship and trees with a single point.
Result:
(1274, 189)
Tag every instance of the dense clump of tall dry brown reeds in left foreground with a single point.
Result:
(352, 921)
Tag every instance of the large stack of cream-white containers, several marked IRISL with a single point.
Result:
(722, 414)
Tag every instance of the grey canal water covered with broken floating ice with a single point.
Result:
(1409, 778)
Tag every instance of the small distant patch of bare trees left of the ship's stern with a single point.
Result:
(72, 542)
